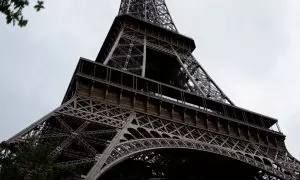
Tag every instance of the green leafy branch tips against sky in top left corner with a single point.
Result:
(13, 10)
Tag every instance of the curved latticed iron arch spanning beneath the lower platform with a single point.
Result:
(132, 148)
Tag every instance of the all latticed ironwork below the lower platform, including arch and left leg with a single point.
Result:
(84, 131)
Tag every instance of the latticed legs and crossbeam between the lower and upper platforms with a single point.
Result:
(129, 53)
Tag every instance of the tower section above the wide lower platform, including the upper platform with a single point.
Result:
(143, 40)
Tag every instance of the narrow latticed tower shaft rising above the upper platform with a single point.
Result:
(154, 11)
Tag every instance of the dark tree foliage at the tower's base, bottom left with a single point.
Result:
(32, 163)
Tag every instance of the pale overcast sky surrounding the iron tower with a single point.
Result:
(251, 48)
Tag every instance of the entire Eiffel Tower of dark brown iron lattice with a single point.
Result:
(146, 109)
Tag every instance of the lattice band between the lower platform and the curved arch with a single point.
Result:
(279, 158)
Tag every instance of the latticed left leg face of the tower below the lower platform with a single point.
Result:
(89, 125)
